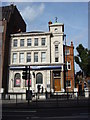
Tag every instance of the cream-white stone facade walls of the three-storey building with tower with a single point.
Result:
(50, 52)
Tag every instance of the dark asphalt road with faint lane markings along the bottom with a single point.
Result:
(72, 113)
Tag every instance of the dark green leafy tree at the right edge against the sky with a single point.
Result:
(83, 59)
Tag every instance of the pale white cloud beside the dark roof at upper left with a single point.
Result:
(31, 12)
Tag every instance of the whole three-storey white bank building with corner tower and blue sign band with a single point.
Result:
(38, 50)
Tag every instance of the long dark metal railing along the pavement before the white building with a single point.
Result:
(52, 99)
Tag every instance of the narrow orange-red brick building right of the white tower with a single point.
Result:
(69, 75)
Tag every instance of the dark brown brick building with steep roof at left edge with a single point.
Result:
(10, 22)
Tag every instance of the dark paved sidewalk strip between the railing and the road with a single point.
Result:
(49, 103)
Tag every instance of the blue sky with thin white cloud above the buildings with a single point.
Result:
(74, 15)
